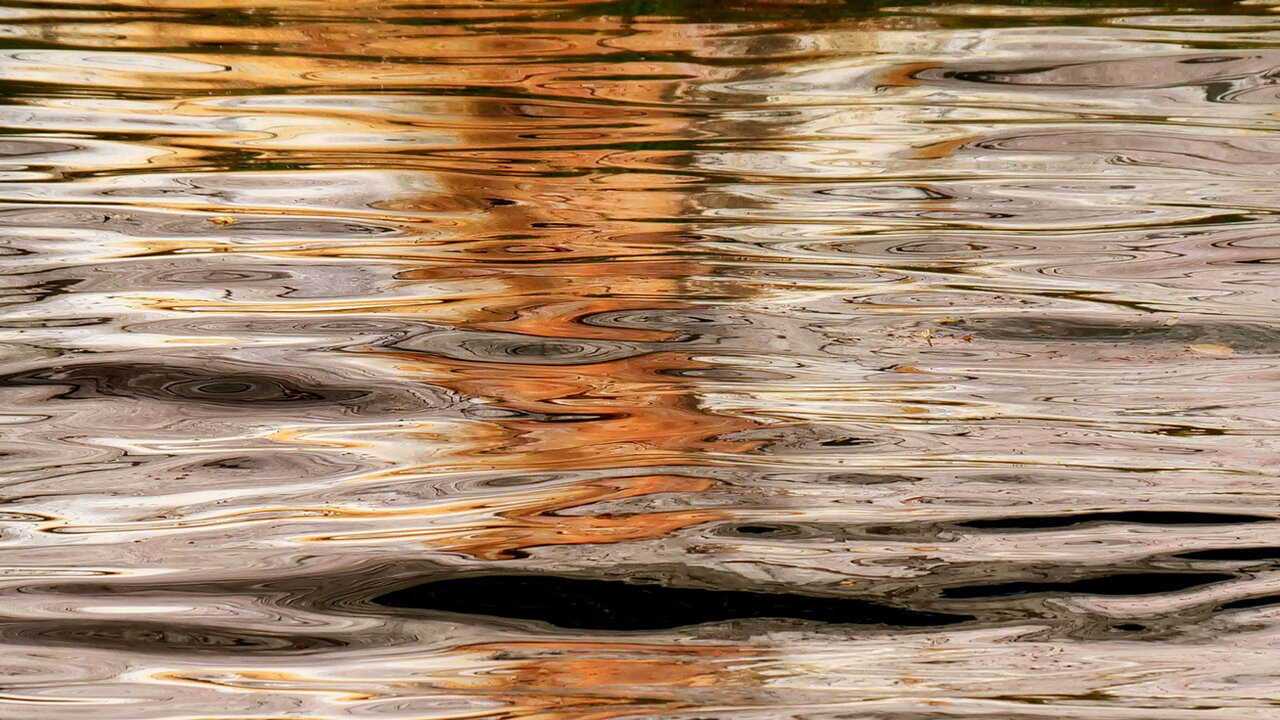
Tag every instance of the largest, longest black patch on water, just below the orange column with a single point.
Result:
(611, 605)
